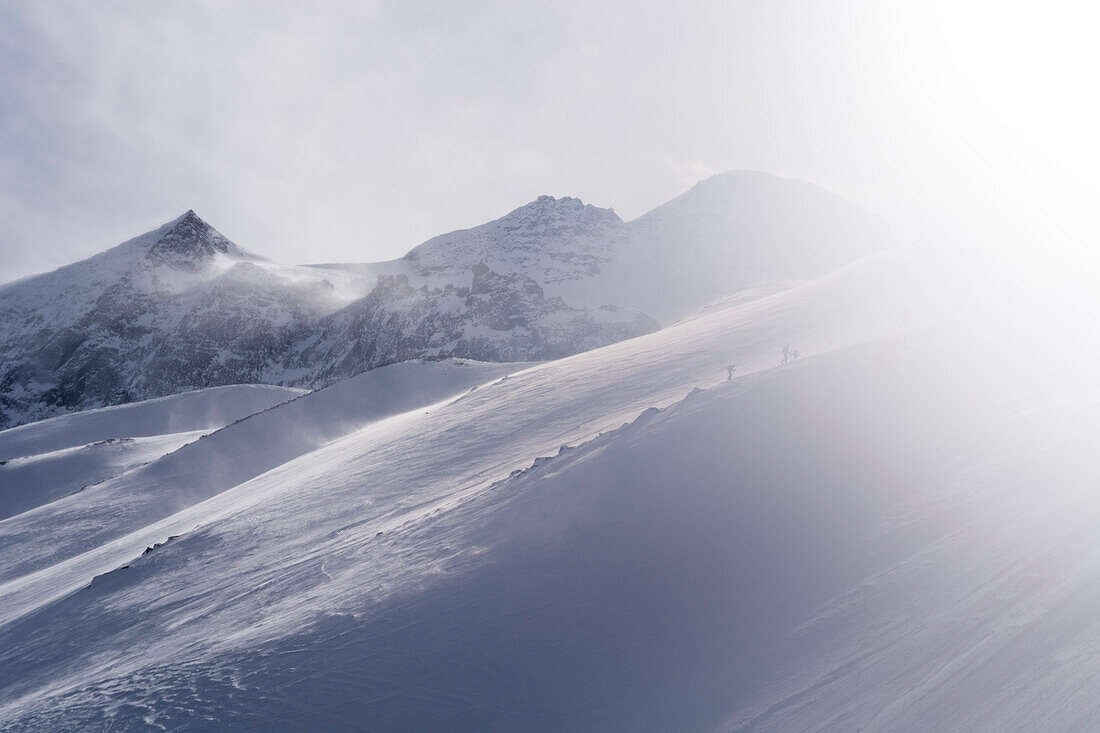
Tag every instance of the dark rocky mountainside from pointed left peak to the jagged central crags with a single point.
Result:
(183, 308)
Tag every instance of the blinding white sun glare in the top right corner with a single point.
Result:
(1004, 91)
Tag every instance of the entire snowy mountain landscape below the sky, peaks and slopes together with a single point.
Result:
(742, 464)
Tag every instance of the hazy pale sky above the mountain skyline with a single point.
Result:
(353, 132)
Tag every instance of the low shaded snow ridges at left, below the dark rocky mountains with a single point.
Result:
(53, 528)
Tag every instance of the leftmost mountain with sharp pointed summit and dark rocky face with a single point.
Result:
(178, 309)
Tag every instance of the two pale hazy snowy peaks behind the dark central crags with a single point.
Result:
(731, 232)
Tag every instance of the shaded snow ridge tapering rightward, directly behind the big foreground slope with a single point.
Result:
(225, 458)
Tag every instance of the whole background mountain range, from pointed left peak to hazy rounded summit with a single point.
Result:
(183, 308)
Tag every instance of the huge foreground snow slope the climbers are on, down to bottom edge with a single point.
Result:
(889, 533)
